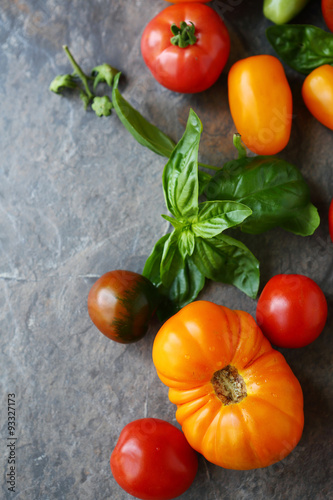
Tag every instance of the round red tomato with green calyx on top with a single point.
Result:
(195, 66)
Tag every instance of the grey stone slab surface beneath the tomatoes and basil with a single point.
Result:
(78, 197)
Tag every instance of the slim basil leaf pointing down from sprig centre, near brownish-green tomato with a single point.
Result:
(172, 259)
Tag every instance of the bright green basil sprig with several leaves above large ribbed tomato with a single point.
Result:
(196, 249)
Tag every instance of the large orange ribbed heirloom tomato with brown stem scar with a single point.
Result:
(239, 403)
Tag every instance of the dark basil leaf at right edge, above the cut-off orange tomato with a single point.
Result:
(301, 46)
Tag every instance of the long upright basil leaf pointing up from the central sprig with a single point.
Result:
(180, 175)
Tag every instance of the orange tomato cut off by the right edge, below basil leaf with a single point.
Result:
(317, 92)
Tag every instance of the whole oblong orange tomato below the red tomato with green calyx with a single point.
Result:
(260, 103)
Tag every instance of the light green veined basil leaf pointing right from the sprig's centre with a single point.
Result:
(216, 216)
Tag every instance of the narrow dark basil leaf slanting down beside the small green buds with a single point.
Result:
(143, 131)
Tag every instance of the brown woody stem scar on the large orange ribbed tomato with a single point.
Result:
(229, 385)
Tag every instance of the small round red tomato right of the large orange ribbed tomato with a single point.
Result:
(291, 310)
